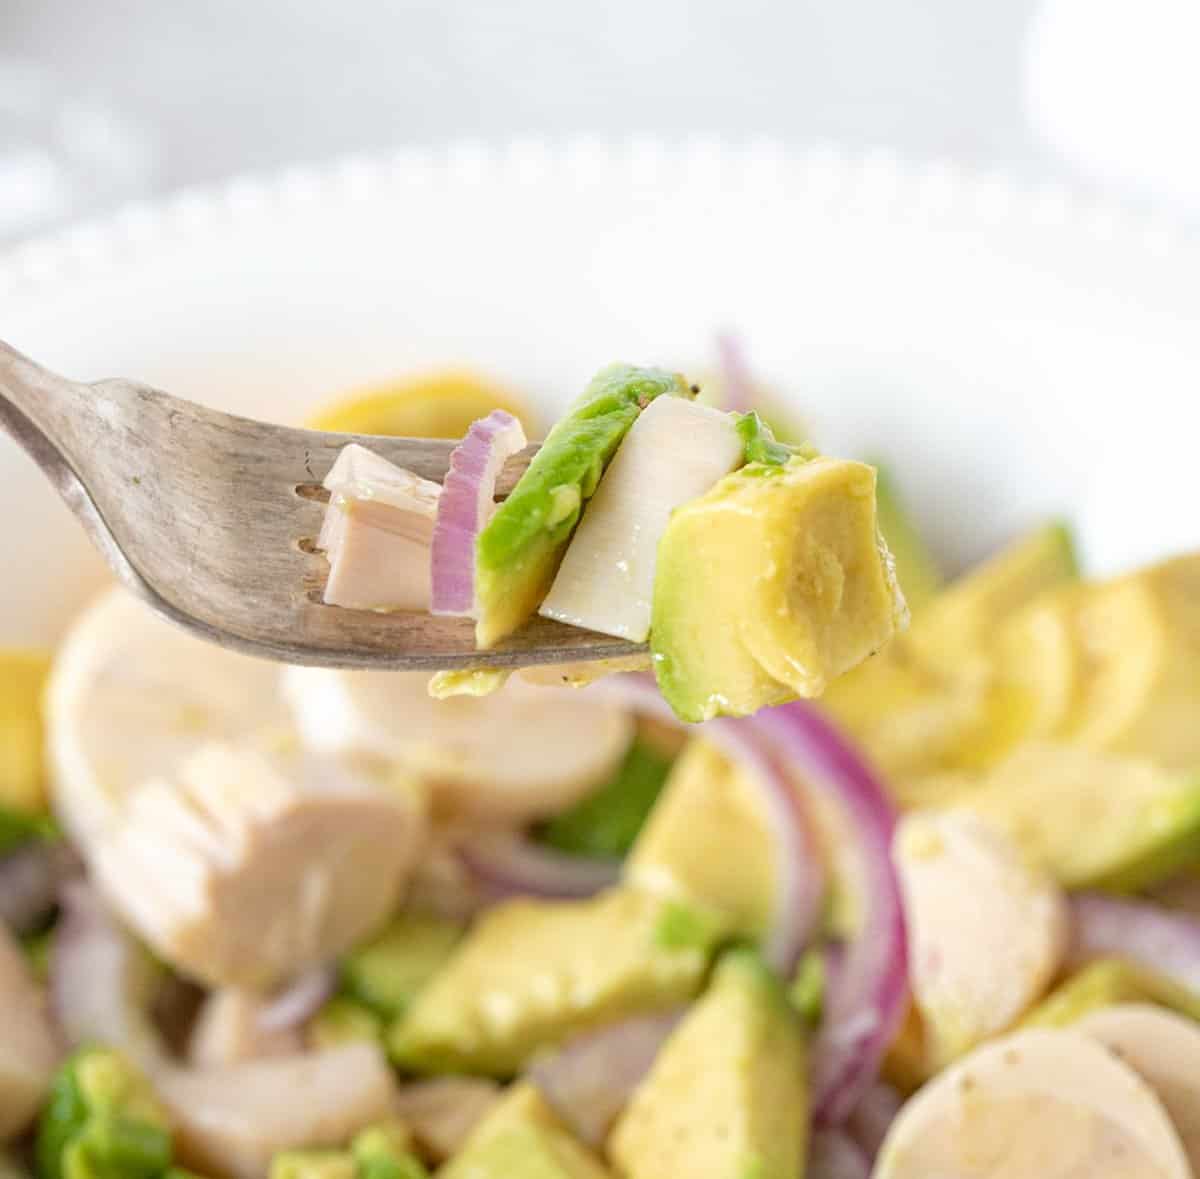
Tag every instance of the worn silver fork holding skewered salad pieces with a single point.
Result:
(212, 520)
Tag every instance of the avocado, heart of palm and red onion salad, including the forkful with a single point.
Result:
(811, 891)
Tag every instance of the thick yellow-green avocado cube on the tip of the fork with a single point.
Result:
(770, 586)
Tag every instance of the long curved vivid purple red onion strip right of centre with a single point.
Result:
(866, 1004)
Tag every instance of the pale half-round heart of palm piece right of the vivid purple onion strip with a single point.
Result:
(987, 931)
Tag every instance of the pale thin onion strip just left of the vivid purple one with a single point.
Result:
(800, 885)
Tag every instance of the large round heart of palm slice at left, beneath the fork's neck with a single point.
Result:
(130, 696)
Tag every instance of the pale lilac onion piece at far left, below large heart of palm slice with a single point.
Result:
(103, 983)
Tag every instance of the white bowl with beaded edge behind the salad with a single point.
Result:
(1012, 355)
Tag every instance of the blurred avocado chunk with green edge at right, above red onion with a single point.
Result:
(1095, 821)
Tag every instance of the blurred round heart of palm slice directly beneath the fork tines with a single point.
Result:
(521, 753)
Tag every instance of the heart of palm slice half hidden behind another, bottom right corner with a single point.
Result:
(1165, 1050)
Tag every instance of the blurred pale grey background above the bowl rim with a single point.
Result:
(227, 86)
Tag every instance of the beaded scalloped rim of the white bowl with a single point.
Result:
(877, 181)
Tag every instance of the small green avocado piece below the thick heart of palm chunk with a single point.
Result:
(386, 973)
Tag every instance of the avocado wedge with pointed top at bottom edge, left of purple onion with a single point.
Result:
(728, 1096)
